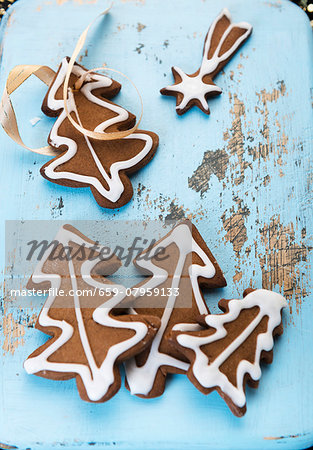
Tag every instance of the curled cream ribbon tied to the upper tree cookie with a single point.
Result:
(20, 73)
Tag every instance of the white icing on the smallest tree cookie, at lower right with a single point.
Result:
(208, 373)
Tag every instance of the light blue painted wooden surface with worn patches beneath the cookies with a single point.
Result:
(243, 175)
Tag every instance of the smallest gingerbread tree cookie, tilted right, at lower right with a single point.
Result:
(227, 354)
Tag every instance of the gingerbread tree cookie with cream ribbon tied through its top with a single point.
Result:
(103, 166)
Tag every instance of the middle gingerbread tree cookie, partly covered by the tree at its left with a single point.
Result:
(185, 265)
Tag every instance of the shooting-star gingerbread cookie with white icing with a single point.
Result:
(223, 39)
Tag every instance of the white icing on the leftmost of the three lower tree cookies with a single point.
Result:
(97, 380)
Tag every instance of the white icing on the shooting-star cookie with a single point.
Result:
(193, 87)
